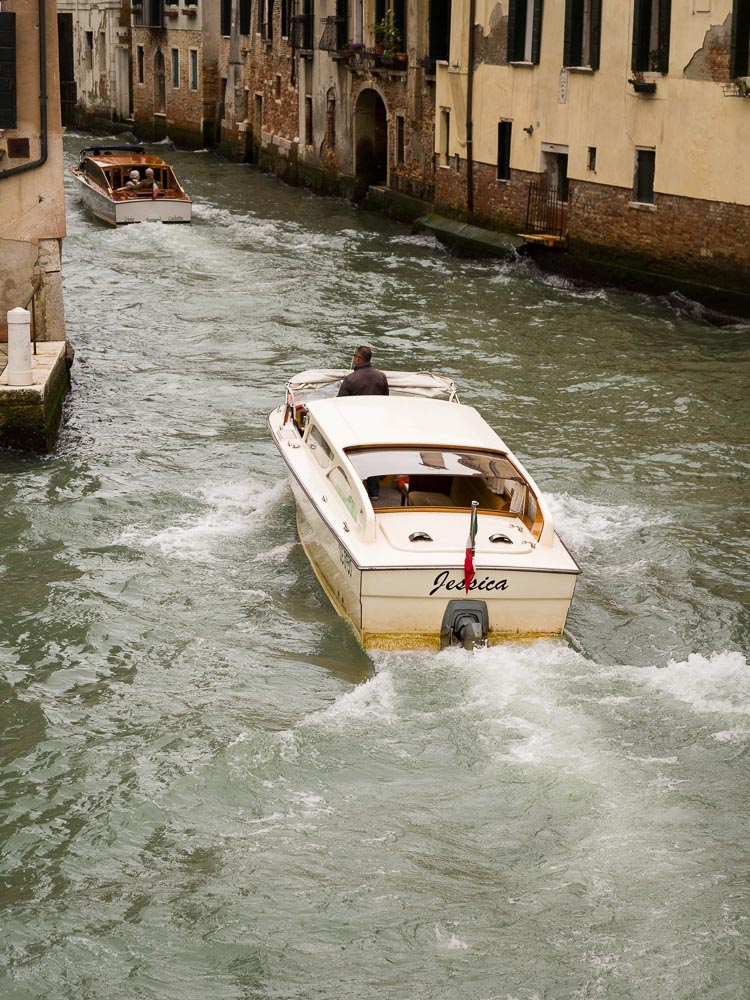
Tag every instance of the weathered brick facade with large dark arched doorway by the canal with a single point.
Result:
(336, 94)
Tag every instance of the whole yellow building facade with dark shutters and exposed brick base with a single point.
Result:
(614, 128)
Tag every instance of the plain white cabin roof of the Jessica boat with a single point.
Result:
(367, 421)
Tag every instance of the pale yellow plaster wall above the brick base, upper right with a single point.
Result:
(702, 138)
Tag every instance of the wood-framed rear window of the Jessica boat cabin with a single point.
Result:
(441, 477)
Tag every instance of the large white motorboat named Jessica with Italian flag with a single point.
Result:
(459, 547)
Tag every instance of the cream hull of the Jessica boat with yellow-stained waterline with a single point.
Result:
(404, 607)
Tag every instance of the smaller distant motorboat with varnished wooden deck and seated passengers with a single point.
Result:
(108, 185)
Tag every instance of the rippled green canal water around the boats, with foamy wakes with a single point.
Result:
(207, 789)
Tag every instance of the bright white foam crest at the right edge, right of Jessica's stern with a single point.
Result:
(716, 683)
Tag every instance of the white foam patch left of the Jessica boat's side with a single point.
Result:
(233, 510)
